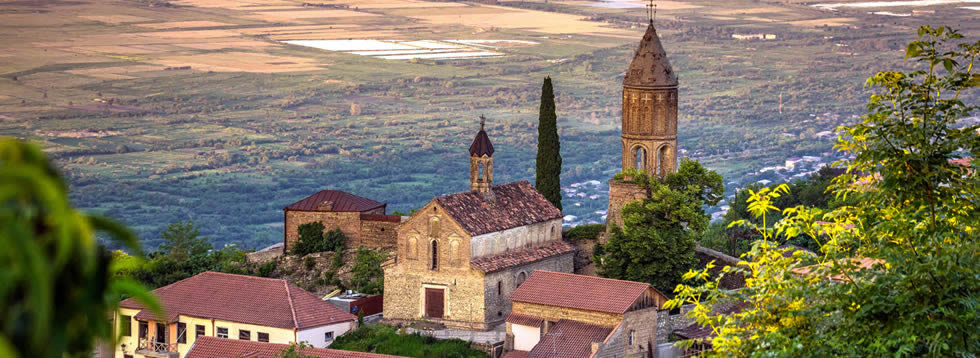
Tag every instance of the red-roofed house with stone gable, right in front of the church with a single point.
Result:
(565, 315)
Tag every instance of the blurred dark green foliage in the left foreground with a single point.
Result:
(57, 283)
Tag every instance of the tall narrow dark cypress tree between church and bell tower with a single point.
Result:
(549, 149)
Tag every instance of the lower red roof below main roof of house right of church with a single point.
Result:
(569, 339)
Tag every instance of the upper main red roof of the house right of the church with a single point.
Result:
(588, 293)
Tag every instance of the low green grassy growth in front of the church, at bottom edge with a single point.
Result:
(386, 340)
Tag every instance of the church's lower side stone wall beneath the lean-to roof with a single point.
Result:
(498, 305)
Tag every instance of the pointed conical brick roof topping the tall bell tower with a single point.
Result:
(650, 67)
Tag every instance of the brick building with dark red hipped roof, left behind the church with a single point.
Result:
(362, 220)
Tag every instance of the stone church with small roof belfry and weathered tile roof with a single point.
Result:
(462, 254)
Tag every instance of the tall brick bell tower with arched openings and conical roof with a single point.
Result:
(649, 122)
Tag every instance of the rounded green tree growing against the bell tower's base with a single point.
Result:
(657, 241)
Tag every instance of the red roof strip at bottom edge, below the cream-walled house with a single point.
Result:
(214, 347)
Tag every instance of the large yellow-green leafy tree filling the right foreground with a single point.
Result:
(914, 224)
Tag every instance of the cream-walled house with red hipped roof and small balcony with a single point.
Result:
(213, 304)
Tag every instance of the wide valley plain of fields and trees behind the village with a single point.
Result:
(225, 111)
